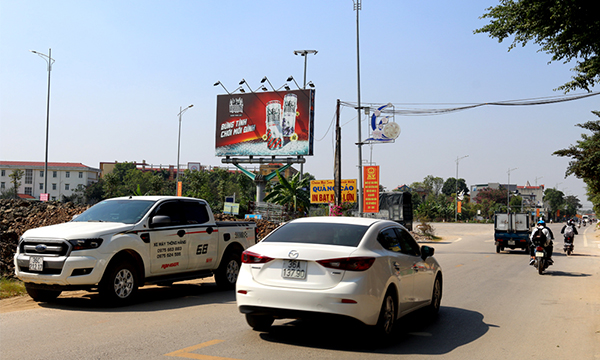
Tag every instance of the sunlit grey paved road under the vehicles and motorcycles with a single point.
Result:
(495, 306)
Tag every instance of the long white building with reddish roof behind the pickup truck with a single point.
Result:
(63, 178)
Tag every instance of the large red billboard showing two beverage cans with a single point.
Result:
(265, 124)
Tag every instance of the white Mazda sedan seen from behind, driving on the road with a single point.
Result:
(367, 269)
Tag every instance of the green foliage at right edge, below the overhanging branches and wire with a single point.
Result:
(585, 160)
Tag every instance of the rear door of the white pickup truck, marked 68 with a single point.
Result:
(203, 236)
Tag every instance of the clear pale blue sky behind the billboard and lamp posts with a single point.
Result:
(123, 69)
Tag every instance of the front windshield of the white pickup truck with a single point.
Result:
(123, 211)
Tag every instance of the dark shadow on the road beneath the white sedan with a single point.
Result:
(454, 328)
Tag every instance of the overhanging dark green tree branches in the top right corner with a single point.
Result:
(566, 30)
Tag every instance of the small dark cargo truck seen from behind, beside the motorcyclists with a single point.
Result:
(512, 230)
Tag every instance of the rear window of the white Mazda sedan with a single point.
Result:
(319, 233)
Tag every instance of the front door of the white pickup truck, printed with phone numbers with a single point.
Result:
(168, 239)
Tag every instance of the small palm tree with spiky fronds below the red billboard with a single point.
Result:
(293, 193)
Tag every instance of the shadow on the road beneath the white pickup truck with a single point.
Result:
(153, 298)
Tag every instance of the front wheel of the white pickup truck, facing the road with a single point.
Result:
(119, 284)
